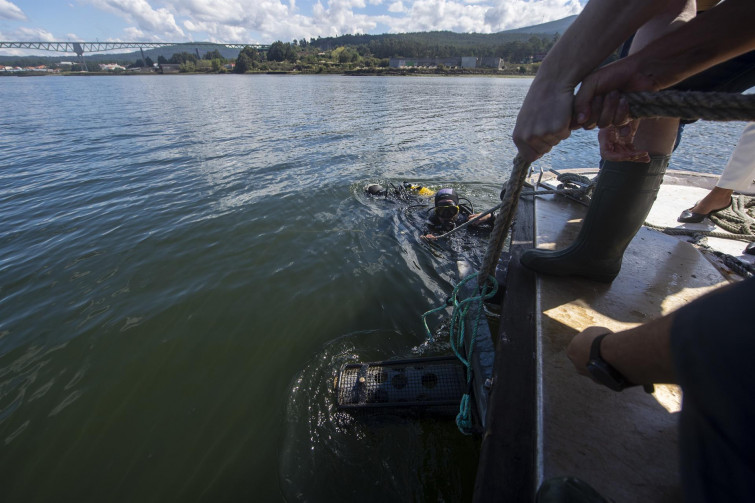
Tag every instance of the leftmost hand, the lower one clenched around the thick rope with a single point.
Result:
(543, 120)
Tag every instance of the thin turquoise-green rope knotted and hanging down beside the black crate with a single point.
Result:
(457, 337)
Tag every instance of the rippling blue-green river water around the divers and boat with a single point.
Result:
(187, 261)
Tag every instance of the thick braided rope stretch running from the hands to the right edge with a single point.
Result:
(692, 105)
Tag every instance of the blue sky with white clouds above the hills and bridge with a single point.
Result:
(261, 21)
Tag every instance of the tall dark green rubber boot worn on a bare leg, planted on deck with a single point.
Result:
(623, 196)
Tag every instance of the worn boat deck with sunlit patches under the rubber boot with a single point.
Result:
(623, 444)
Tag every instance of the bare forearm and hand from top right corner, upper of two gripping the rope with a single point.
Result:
(723, 32)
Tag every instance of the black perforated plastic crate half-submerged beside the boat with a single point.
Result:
(434, 385)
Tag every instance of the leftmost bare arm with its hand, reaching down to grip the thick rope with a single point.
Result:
(545, 117)
